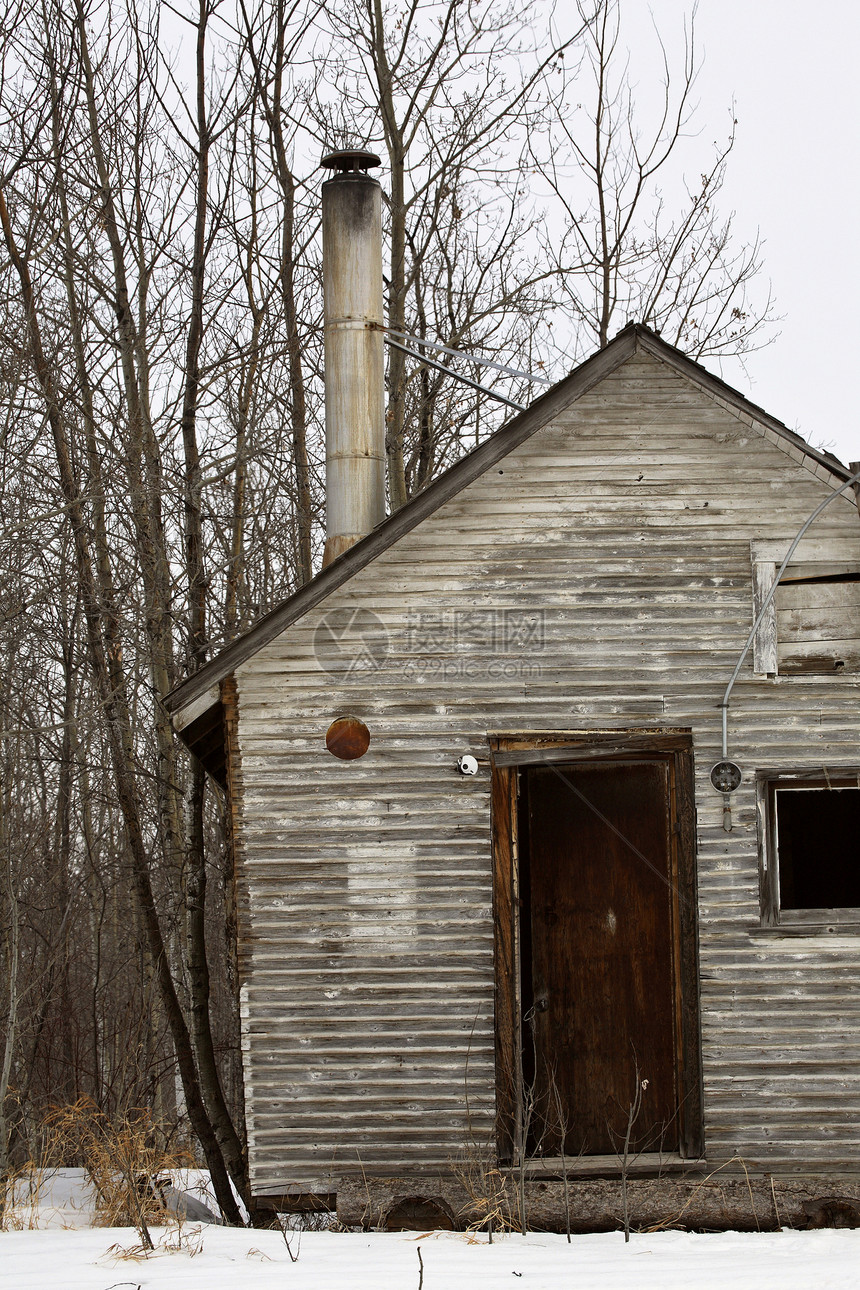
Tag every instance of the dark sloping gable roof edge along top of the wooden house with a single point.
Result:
(197, 695)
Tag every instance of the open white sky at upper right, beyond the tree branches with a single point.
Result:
(792, 72)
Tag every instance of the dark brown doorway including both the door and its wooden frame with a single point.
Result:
(603, 948)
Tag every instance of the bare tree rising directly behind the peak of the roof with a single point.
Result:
(627, 252)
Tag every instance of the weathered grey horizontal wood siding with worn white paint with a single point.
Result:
(367, 932)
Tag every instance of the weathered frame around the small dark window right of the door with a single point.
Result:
(768, 782)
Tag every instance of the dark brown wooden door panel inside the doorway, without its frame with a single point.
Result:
(599, 959)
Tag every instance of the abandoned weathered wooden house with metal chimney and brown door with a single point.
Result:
(491, 896)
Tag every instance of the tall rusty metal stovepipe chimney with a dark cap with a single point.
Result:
(355, 408)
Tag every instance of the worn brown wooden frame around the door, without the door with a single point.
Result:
(509, 754)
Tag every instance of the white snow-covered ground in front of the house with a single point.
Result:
(230, 1260)
